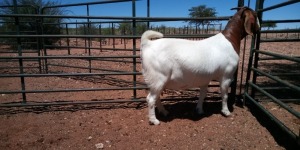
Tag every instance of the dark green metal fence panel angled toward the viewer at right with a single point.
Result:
(273, 83)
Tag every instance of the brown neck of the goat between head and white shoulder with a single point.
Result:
(235, 32)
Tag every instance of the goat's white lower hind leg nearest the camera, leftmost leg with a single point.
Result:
(151, 99)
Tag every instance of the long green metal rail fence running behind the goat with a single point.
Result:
(81, 67)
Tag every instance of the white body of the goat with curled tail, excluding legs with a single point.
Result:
(181, 64)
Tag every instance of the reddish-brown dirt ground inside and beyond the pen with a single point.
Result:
(122, 126)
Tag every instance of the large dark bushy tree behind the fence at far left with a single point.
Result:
(32, 25)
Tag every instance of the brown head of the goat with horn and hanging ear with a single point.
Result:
(251, 22)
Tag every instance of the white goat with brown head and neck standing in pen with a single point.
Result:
(180, 64)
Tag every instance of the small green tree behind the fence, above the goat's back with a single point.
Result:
(201, 11)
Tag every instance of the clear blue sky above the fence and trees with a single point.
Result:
(179, 8)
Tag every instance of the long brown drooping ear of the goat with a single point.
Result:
(250, 22)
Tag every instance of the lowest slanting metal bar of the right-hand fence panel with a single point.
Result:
(272, 118)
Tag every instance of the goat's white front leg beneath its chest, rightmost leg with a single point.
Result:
(224, 92)
